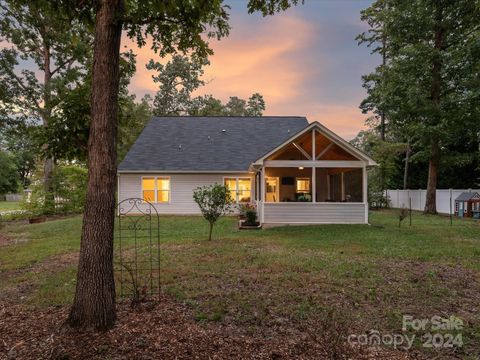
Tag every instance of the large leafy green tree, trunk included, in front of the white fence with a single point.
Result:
(429, 85)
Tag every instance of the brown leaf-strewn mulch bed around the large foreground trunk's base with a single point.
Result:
(160, 330)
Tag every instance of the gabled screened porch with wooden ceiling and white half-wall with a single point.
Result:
(312, 179)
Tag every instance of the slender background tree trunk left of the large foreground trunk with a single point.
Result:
(49, 205)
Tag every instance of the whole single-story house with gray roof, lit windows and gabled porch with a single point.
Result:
(294, 171)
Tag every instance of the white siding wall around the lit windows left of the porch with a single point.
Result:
(181, 189)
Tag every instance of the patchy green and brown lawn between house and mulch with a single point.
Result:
(368, 276)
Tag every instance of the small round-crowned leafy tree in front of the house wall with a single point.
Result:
(213, 201)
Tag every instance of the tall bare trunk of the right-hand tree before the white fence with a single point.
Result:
(435, 93)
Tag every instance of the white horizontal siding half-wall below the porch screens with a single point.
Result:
(314, 213)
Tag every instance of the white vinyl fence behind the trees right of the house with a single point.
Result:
(400, 198)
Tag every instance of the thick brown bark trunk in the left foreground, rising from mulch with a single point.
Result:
(94, 303)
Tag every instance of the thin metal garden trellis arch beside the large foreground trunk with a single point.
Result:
(137, 249)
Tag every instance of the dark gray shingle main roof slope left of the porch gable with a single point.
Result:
(190, 143)
